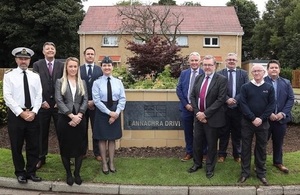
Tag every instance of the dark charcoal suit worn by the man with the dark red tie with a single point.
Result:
(215, 116)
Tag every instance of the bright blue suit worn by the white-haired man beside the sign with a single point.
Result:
(187, 117)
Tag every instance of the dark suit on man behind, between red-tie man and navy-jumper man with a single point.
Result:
(233, 117)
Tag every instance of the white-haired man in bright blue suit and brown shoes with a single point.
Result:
(183, 90)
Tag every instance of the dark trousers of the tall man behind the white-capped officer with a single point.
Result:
(44, 121)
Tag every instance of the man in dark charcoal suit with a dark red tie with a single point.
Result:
(208, 97)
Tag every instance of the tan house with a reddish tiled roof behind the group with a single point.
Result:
(213, 30)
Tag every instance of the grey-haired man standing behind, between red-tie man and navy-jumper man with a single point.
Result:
(236, 78)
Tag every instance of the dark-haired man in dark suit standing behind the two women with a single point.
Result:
(90, 72)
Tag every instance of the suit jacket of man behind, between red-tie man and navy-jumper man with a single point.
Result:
(241, 78)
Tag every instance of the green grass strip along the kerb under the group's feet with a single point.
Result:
(159, 171)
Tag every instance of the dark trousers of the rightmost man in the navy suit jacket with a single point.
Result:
(277, 133)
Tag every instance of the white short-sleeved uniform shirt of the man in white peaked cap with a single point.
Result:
(13, 90)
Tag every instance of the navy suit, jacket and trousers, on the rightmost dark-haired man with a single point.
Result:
(284, 103)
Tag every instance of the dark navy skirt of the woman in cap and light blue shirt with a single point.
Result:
(103, 130)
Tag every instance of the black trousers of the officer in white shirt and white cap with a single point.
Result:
(19, 131)
